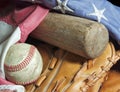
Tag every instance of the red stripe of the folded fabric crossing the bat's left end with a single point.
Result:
(26, 19)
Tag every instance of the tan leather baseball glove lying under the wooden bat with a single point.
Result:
(66, 72)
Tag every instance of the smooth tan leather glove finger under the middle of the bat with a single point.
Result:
(61, 75)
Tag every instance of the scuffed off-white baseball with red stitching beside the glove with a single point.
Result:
(23, 64)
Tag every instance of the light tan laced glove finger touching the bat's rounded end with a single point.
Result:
(99, 66)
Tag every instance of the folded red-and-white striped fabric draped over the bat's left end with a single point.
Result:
(16, 27)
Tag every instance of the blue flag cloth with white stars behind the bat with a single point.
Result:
(102, 11)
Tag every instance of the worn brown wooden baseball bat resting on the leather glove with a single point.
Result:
(81, 36)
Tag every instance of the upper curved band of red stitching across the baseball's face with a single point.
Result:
(23, 64)
